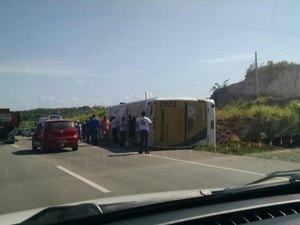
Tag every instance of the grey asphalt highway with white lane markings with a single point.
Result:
(31, 180)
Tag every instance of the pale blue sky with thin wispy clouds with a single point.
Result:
(76, 53)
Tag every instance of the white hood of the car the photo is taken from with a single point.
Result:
(110, 204)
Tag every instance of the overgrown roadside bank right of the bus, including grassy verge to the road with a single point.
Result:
(262, 128)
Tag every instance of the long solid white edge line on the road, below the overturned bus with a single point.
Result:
(208, 165)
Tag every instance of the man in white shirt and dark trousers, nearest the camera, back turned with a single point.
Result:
(144, 127)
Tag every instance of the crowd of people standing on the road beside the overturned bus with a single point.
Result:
(124, 132)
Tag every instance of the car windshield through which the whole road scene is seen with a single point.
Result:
(164, 96)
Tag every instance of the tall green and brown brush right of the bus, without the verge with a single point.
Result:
(260, 121)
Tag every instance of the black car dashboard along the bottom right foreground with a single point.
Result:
(266, 205)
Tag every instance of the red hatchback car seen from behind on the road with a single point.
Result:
(53, 134)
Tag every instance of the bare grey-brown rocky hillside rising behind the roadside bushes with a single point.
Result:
(272, 81)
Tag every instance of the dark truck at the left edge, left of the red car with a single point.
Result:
(9, 121)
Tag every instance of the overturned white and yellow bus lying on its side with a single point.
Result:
(177, 122)
